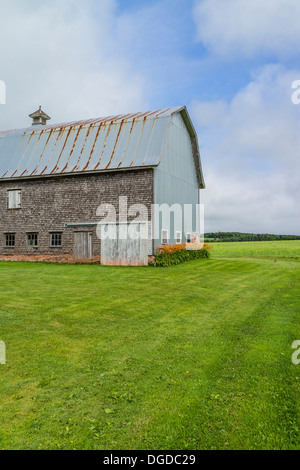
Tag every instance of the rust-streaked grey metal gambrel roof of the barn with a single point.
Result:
(112, 143)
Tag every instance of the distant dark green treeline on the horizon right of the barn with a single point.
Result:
(245, 237)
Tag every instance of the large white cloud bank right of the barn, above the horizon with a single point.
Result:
(250, 151)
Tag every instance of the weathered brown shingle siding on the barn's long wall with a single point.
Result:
(48, 203)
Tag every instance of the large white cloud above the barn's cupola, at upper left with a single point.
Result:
(65, 57)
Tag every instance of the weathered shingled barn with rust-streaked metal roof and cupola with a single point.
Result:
(64, 187)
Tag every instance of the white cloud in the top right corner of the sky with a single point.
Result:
(235, 28)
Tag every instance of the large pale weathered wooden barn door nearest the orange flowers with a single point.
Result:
(121, 249)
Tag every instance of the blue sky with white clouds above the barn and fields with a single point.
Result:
(231, 63)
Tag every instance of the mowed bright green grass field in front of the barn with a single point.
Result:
(196, 356)
